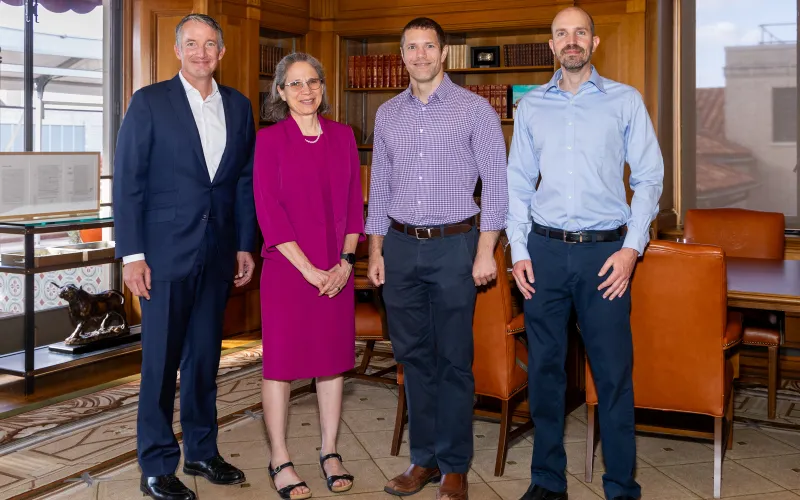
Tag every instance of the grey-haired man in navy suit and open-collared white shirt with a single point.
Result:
(185, 226)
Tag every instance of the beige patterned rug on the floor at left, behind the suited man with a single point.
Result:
(44, 447)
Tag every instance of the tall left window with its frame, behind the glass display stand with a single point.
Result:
(68, 103)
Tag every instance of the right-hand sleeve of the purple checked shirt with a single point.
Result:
(489, 149)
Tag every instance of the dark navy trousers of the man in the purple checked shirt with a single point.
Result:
(430, 300)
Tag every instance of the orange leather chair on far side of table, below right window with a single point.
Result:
(754, 235)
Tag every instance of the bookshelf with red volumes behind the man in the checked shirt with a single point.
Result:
(522, 58)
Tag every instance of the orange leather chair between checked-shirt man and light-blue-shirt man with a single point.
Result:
(499, 363)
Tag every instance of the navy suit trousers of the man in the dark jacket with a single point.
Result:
(181, 329)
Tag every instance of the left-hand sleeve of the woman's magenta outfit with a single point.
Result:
(272, 218)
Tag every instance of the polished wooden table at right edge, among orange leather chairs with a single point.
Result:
(773, 285)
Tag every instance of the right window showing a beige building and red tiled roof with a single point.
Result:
(738, 103)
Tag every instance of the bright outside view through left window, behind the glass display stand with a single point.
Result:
(68, 98)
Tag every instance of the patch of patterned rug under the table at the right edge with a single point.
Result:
(750, 405)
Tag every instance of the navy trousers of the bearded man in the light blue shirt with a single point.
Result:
(566, 275)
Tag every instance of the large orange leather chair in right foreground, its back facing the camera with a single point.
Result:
(681, 332)
